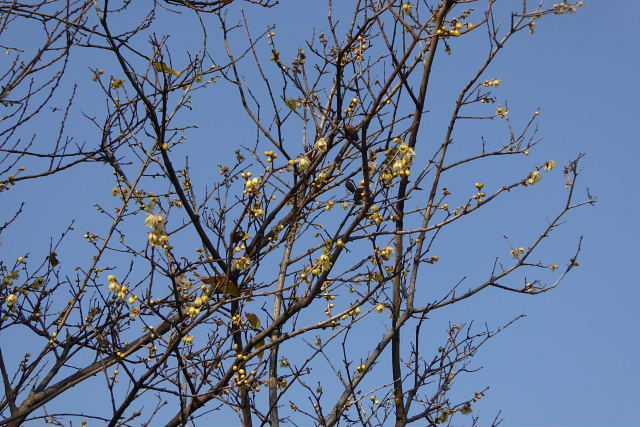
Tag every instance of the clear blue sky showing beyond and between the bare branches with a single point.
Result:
(574, 359)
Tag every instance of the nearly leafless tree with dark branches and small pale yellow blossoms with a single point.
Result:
(245, 292)
